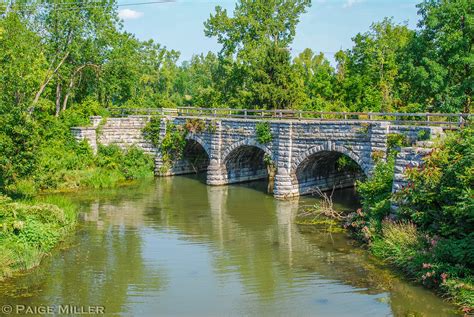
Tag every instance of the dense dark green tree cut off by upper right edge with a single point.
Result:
(442, 56)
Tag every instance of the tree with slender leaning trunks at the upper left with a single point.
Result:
(75, 40)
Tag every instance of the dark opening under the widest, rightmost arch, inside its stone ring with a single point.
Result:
(327, 170)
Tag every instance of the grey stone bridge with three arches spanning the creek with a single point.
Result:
(304, 152)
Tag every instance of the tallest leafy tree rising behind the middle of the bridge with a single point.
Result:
(258, 36)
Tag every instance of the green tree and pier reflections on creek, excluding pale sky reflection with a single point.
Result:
(249, 234)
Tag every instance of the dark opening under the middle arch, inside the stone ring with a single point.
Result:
(249, 163)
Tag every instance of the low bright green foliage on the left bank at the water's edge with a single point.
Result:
(30, 230)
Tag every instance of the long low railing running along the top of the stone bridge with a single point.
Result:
(448, 120)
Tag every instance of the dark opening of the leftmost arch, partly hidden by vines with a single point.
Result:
(194, 159)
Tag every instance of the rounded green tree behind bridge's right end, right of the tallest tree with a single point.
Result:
(369, 71)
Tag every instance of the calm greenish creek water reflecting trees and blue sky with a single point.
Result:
(176, 247)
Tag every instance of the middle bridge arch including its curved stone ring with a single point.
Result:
(245, 161)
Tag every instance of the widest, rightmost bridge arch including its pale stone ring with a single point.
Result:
(319, 167)
